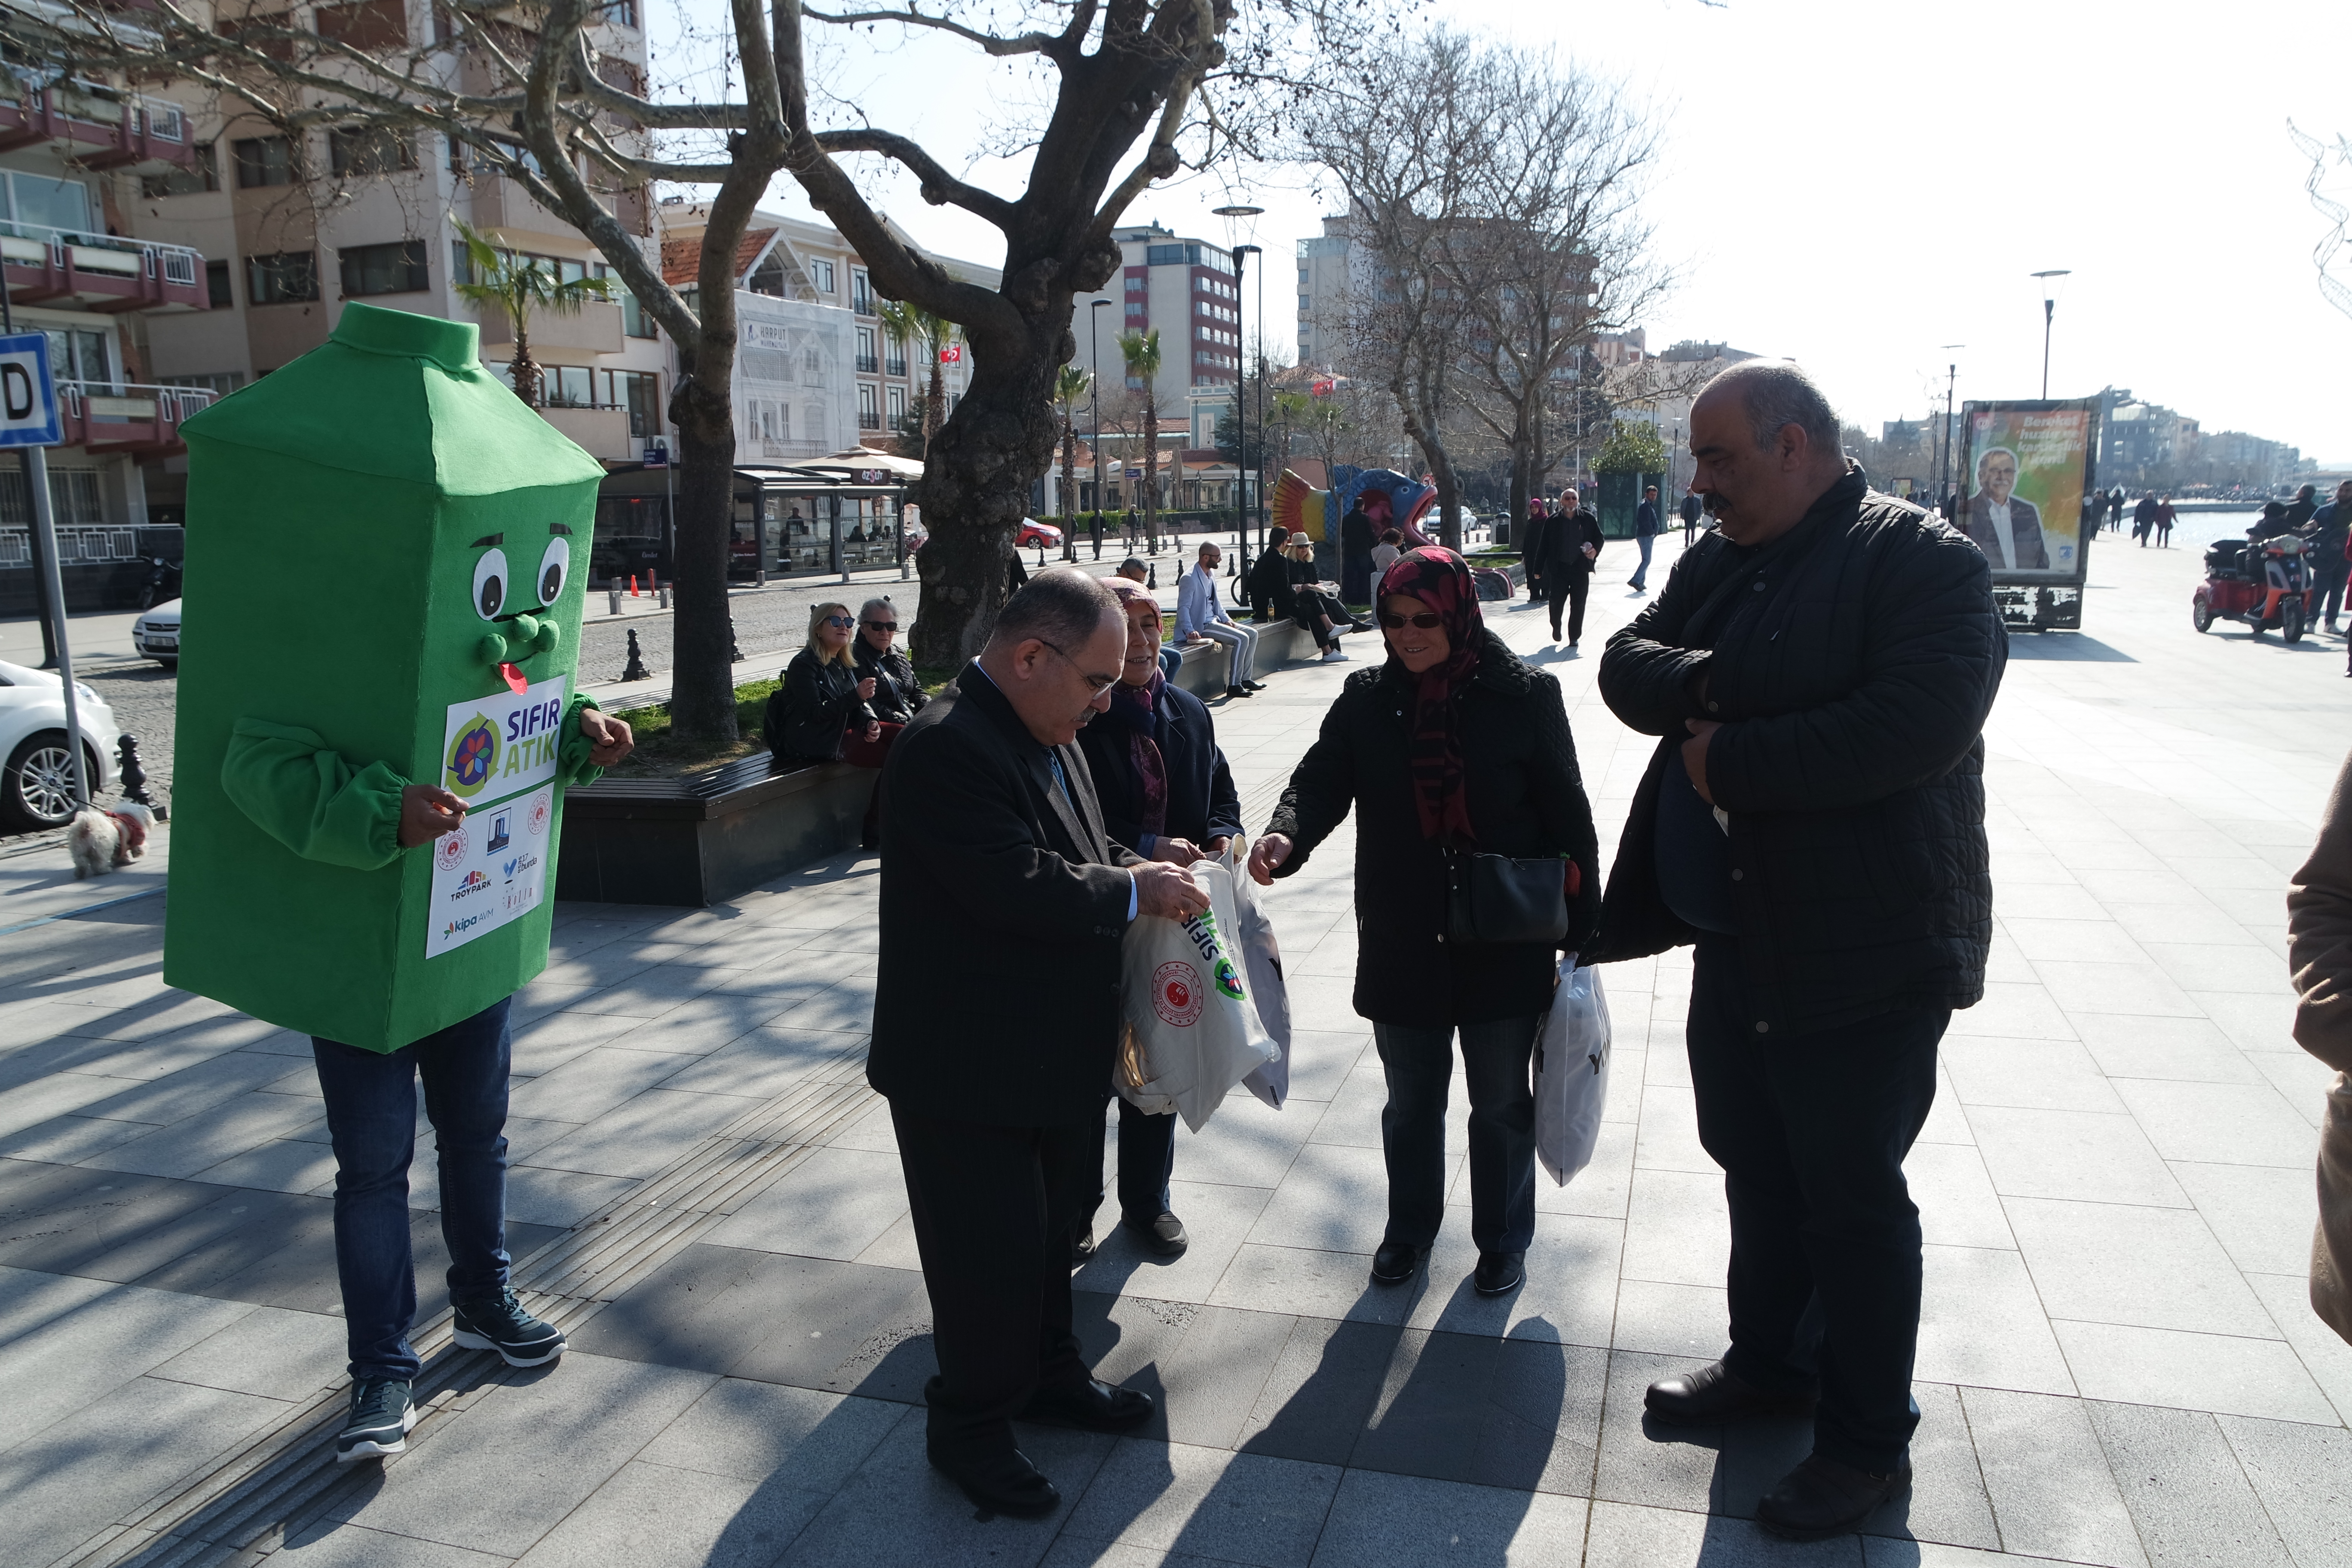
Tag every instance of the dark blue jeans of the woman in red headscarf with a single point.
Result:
(1419, 1068)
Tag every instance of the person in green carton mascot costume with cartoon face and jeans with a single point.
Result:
(377, 721)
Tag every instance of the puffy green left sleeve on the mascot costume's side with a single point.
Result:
(309, 798)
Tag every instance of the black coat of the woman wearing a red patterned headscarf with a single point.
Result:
(1525, 800)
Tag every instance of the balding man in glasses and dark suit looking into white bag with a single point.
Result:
(994, 1064)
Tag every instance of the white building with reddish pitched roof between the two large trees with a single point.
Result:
(791, 262)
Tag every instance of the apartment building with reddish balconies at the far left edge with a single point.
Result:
(69, 159)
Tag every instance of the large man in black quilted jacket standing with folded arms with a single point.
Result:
(1815, 822)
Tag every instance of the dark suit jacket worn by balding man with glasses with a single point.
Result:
(1003, 911)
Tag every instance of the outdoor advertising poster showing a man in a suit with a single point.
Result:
(2029, 471)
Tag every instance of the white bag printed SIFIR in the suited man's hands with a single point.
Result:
(1191, 1026)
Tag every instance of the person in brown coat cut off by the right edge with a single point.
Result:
(2320, 963)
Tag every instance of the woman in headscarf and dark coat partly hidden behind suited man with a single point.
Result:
(1168, 793)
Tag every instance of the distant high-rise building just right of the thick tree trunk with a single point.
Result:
(1189, 293)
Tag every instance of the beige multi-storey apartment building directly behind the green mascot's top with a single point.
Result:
(295, 227)
